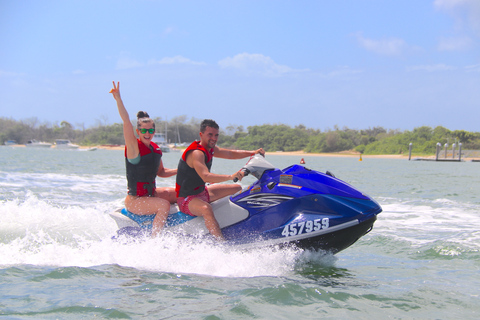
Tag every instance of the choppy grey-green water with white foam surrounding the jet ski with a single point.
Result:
(57, 259)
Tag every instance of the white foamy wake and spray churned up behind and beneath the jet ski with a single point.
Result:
(35, 232)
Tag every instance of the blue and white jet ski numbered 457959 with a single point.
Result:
(295, 206)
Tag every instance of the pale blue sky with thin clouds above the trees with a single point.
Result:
(321, 64)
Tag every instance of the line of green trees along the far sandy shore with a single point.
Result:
(276, 137)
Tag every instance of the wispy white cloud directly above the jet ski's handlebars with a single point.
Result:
(256, 63)
